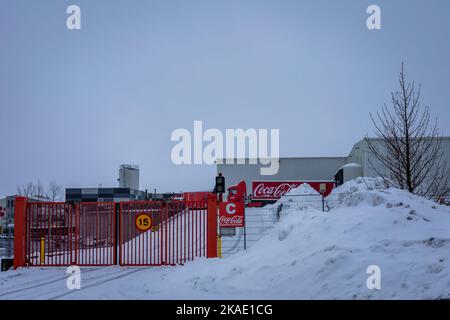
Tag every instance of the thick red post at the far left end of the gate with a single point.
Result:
(20, 209)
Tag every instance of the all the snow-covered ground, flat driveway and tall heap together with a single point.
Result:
(307, 255)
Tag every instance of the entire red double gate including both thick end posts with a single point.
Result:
(91, 234)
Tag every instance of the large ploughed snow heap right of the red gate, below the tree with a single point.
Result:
(316, 255)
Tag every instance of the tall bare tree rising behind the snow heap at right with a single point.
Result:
(409, 150)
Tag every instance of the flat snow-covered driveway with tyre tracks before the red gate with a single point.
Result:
(113, 283)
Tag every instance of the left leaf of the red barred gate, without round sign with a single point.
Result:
(61, 234)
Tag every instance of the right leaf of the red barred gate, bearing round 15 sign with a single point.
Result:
(176, 233)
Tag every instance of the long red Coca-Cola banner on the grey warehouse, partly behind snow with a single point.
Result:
(274, 190)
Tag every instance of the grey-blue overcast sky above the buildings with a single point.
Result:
(74, 105)
